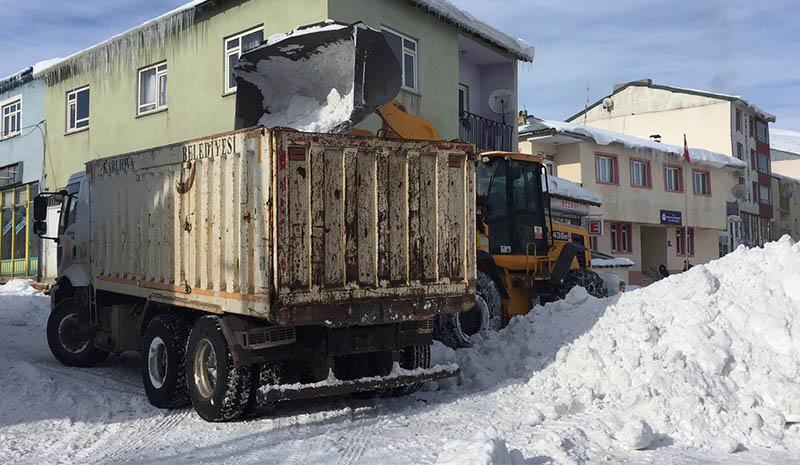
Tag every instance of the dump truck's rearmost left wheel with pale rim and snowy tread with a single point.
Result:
(219, 390)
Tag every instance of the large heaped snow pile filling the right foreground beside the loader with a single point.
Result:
(708, 358)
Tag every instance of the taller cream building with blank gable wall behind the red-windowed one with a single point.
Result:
(724, 124)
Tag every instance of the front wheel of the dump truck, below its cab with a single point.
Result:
(65, 339)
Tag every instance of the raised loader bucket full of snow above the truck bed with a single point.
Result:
(319, 78)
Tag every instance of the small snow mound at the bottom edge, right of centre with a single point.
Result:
(481, 449)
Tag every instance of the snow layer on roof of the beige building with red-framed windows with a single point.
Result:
(604, 137)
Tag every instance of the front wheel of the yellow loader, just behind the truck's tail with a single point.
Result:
(456, 329)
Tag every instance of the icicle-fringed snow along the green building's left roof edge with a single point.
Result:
(125, 45)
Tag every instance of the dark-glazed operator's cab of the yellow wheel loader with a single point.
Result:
(512, 204)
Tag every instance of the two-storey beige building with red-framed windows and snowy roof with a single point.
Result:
(656, 208)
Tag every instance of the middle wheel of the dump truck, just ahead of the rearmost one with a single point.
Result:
(164, 361)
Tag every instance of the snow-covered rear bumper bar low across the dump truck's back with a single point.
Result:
(332, 386)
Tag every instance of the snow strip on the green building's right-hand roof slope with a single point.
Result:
(449, 12)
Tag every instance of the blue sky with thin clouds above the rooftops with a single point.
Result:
(746, 48)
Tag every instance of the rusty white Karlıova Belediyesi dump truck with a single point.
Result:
(261, 265)
